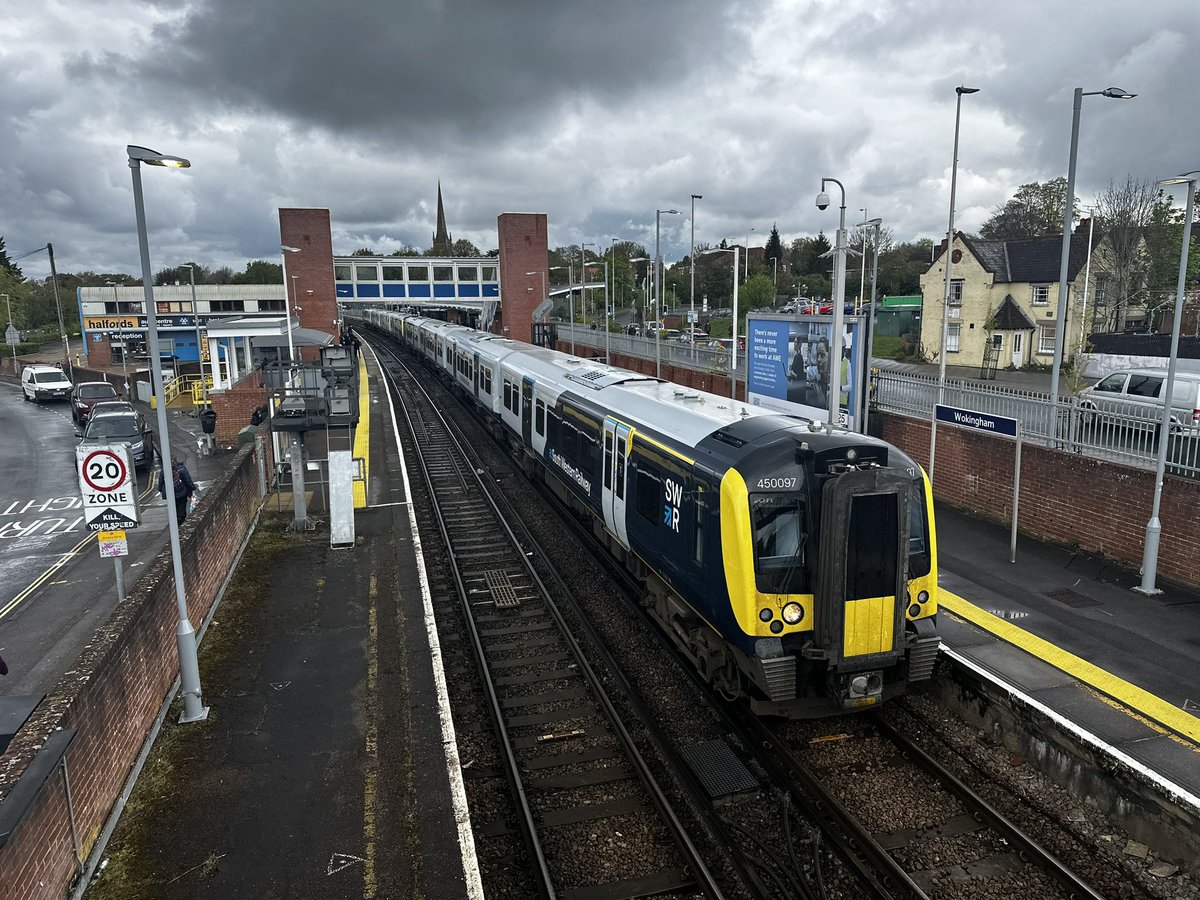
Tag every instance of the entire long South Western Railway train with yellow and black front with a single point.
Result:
(793, 563)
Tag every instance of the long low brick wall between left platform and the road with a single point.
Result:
(113, 693)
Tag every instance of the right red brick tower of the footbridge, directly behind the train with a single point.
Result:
(524, 249)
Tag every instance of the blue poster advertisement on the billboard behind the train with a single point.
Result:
(790, 367)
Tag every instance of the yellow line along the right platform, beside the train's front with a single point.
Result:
(1137, 699)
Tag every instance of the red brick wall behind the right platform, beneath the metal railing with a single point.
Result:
(1066, 499)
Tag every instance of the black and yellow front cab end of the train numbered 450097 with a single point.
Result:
(836, 593)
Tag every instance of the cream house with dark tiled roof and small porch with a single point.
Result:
(1004, 299)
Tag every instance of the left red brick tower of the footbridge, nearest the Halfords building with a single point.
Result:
(314, 271)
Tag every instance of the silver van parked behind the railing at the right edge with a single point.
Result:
(1137, 394)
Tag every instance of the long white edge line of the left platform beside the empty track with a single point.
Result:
(475, 883)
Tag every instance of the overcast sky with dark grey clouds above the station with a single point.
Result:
(593, 113)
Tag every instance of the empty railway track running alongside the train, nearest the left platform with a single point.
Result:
(575, 778)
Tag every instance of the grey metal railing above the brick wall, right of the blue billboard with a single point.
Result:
(1129, 435)
